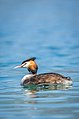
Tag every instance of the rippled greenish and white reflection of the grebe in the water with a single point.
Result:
(31, 90)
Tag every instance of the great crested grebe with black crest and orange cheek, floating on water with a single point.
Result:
(44, 78)
